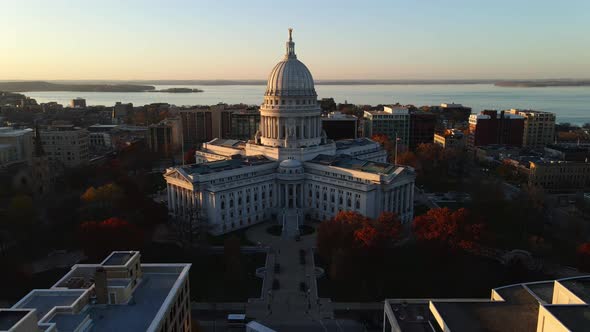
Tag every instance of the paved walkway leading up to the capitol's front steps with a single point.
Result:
(288, 303)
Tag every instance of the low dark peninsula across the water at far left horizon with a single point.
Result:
(46, 86)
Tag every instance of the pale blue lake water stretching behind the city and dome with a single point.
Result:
(571, 104)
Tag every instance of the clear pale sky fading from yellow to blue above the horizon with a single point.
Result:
(340, 39)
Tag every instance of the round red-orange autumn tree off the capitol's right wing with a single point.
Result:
(448, 228)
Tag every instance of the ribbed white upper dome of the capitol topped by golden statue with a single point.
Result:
(290, 77)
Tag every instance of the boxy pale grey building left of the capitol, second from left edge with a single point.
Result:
(66, 145)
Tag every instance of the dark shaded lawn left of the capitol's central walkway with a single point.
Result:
(210, 280)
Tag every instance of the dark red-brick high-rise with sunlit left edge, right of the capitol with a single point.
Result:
(489, 127)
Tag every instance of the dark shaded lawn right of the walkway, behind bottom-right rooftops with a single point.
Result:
(413, 272)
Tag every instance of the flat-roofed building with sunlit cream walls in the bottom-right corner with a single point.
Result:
(544, 306)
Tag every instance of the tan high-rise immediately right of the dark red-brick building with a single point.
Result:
(539, 127)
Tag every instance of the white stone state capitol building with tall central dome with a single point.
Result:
(290, 170)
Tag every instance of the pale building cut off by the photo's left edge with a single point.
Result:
(16, 145)
